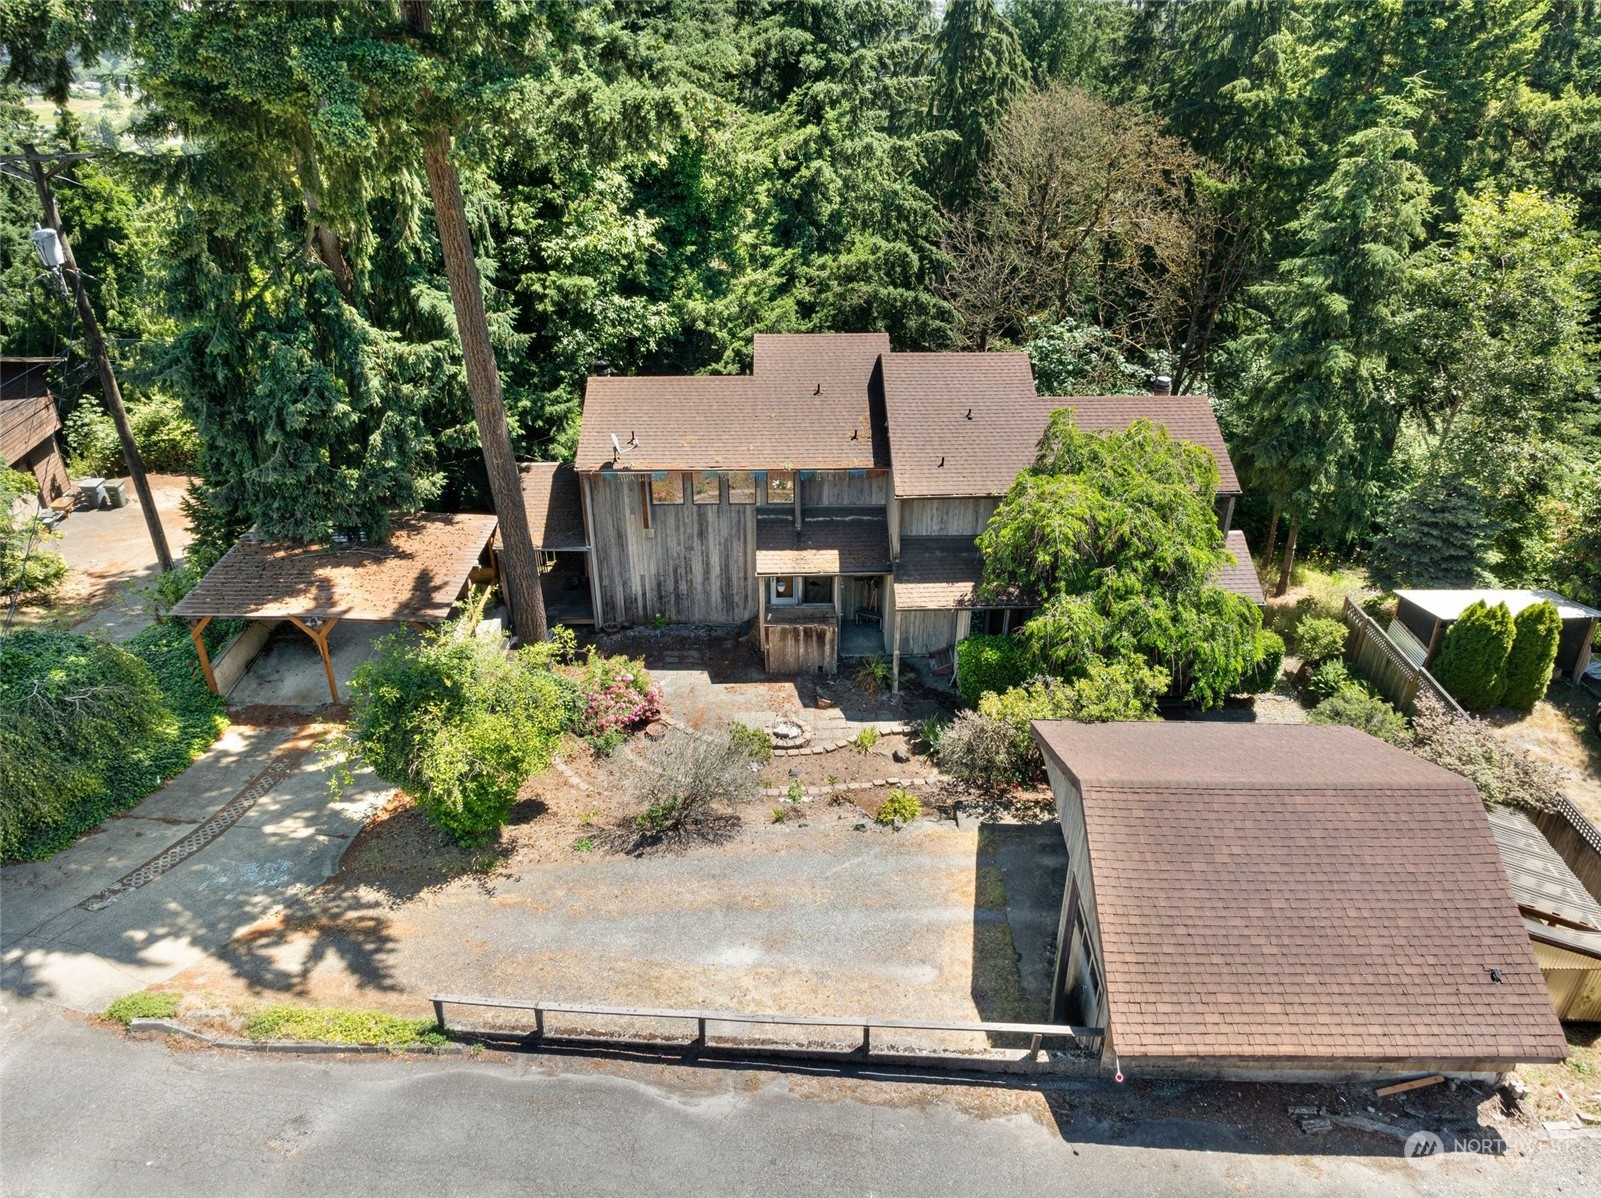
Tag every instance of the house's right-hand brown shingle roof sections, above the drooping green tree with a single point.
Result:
(929, 398)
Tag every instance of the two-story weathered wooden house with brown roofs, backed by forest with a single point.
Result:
(830, 497)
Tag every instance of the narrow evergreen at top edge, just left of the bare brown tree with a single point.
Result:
(979, 68)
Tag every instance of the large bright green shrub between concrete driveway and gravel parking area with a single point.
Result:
(459, 725)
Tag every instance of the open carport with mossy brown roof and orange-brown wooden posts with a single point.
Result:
(415, 577)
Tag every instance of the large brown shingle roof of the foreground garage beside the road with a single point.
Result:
(1298, 893)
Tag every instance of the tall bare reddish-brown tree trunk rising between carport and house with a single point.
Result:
(521, 579)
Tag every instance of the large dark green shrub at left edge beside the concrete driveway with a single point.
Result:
(87, 730)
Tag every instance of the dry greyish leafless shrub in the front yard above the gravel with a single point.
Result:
(684, 792)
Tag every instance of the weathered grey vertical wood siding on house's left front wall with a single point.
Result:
(696, 565)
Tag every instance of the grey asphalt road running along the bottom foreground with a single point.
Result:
(87, 1112)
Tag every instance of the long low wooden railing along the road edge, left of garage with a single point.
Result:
(1085, 1040)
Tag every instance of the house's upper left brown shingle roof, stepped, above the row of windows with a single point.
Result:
(808, 406)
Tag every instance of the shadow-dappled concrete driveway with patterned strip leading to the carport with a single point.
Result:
(156, 890)
